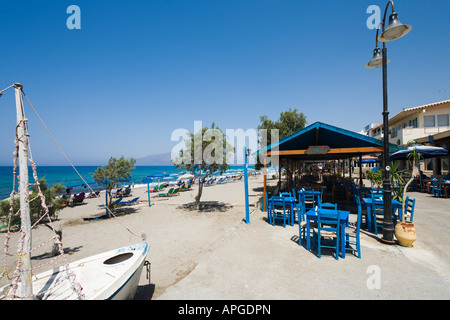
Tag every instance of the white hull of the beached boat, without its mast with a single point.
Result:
(113, 275)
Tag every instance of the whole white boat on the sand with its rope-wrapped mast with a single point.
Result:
(113, 275)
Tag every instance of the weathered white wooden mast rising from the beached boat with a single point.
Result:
(25, 255)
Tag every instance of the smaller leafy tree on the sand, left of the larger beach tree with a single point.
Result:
(109, 176)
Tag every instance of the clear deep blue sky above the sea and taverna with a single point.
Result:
(137, 70)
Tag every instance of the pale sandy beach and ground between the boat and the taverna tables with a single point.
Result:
(214, 254)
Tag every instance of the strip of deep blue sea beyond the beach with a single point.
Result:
(66, 176)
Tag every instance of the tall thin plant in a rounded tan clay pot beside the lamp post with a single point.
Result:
(405, 231)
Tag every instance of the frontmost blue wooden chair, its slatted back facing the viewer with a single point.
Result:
(326, 234)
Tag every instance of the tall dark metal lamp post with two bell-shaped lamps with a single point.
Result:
(394, 30)
